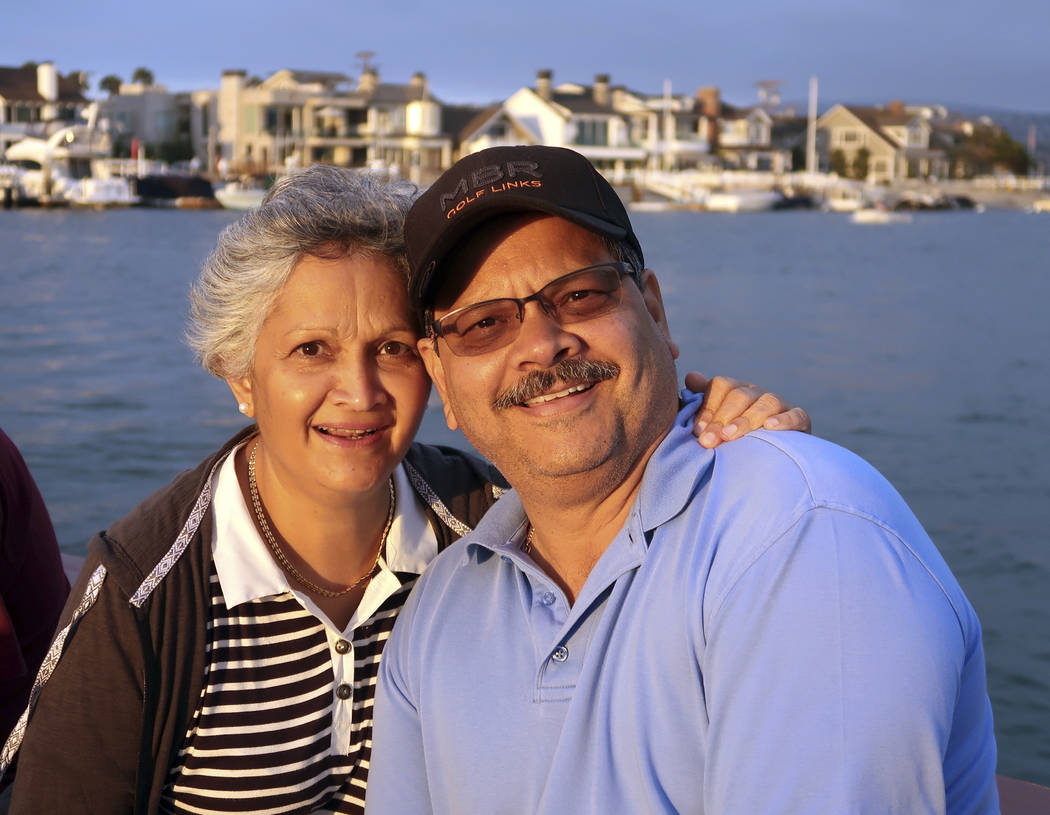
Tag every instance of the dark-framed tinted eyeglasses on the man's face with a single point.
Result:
(574, 298)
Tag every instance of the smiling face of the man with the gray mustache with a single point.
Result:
(581, 423)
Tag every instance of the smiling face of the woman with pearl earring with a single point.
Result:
(338, 388)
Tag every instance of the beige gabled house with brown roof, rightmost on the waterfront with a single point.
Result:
(891, 142)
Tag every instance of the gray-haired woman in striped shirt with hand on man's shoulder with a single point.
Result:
(225, 636)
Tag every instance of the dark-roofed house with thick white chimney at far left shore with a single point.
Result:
(36, 100)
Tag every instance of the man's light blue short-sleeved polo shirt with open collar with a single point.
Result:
(772, 632)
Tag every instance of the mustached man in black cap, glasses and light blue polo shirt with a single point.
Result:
(644, 625)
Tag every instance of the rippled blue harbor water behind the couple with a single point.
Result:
(923, 347)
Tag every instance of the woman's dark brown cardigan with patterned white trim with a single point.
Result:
(111, 720)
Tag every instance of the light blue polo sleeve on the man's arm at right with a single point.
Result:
(835, 675)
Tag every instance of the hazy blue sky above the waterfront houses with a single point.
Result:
(995, 55)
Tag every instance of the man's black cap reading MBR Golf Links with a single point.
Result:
(502, 180)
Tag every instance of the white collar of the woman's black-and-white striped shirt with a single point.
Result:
(247, 571)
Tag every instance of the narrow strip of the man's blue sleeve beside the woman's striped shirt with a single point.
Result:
(397, 774)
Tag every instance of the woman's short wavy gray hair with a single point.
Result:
(324, 212)
